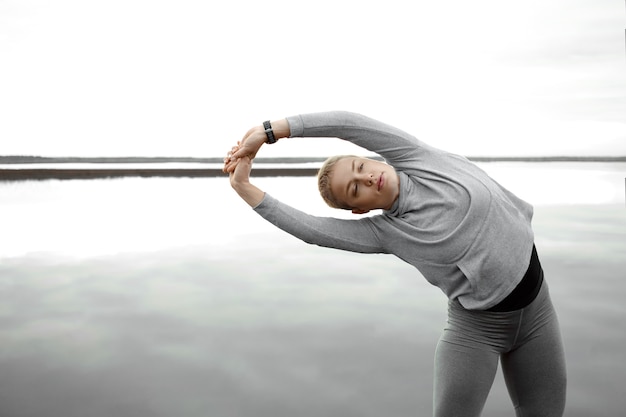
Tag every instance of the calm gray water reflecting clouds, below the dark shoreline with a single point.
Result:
(161, 297)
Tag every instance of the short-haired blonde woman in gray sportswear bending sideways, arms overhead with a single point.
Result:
(464, 232)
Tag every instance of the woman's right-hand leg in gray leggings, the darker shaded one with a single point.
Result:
(535, 370)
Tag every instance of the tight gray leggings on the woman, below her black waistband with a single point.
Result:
(528, 344)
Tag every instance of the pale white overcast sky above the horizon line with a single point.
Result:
(189, 77)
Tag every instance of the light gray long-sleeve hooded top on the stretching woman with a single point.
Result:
(463, 231)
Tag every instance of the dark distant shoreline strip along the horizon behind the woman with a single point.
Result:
(16, 173)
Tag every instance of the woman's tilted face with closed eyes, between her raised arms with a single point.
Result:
(365, 184)
